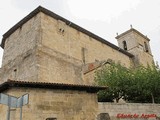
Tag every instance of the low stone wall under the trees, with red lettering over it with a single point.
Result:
(127, 111)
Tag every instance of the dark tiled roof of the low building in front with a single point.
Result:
(46, 85)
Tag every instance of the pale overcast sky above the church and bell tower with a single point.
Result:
(105, 18)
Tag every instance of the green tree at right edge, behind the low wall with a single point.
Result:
(147, 84)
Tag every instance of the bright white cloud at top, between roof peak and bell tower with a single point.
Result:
(100, 9)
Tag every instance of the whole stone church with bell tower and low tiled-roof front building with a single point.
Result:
(53, 60)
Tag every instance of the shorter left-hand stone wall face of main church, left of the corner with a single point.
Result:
(19, 57)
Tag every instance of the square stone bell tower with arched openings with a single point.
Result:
(137, 44)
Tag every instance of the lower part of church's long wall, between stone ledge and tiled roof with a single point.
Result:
(58, 68)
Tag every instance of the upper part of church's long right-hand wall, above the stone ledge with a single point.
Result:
(60, 37)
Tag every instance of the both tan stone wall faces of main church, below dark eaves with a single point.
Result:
(48, 50)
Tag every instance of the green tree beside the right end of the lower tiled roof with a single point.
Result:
(117, 78)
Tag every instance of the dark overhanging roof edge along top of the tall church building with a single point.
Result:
(55, 16)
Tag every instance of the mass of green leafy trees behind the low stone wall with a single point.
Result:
(141, 84)
